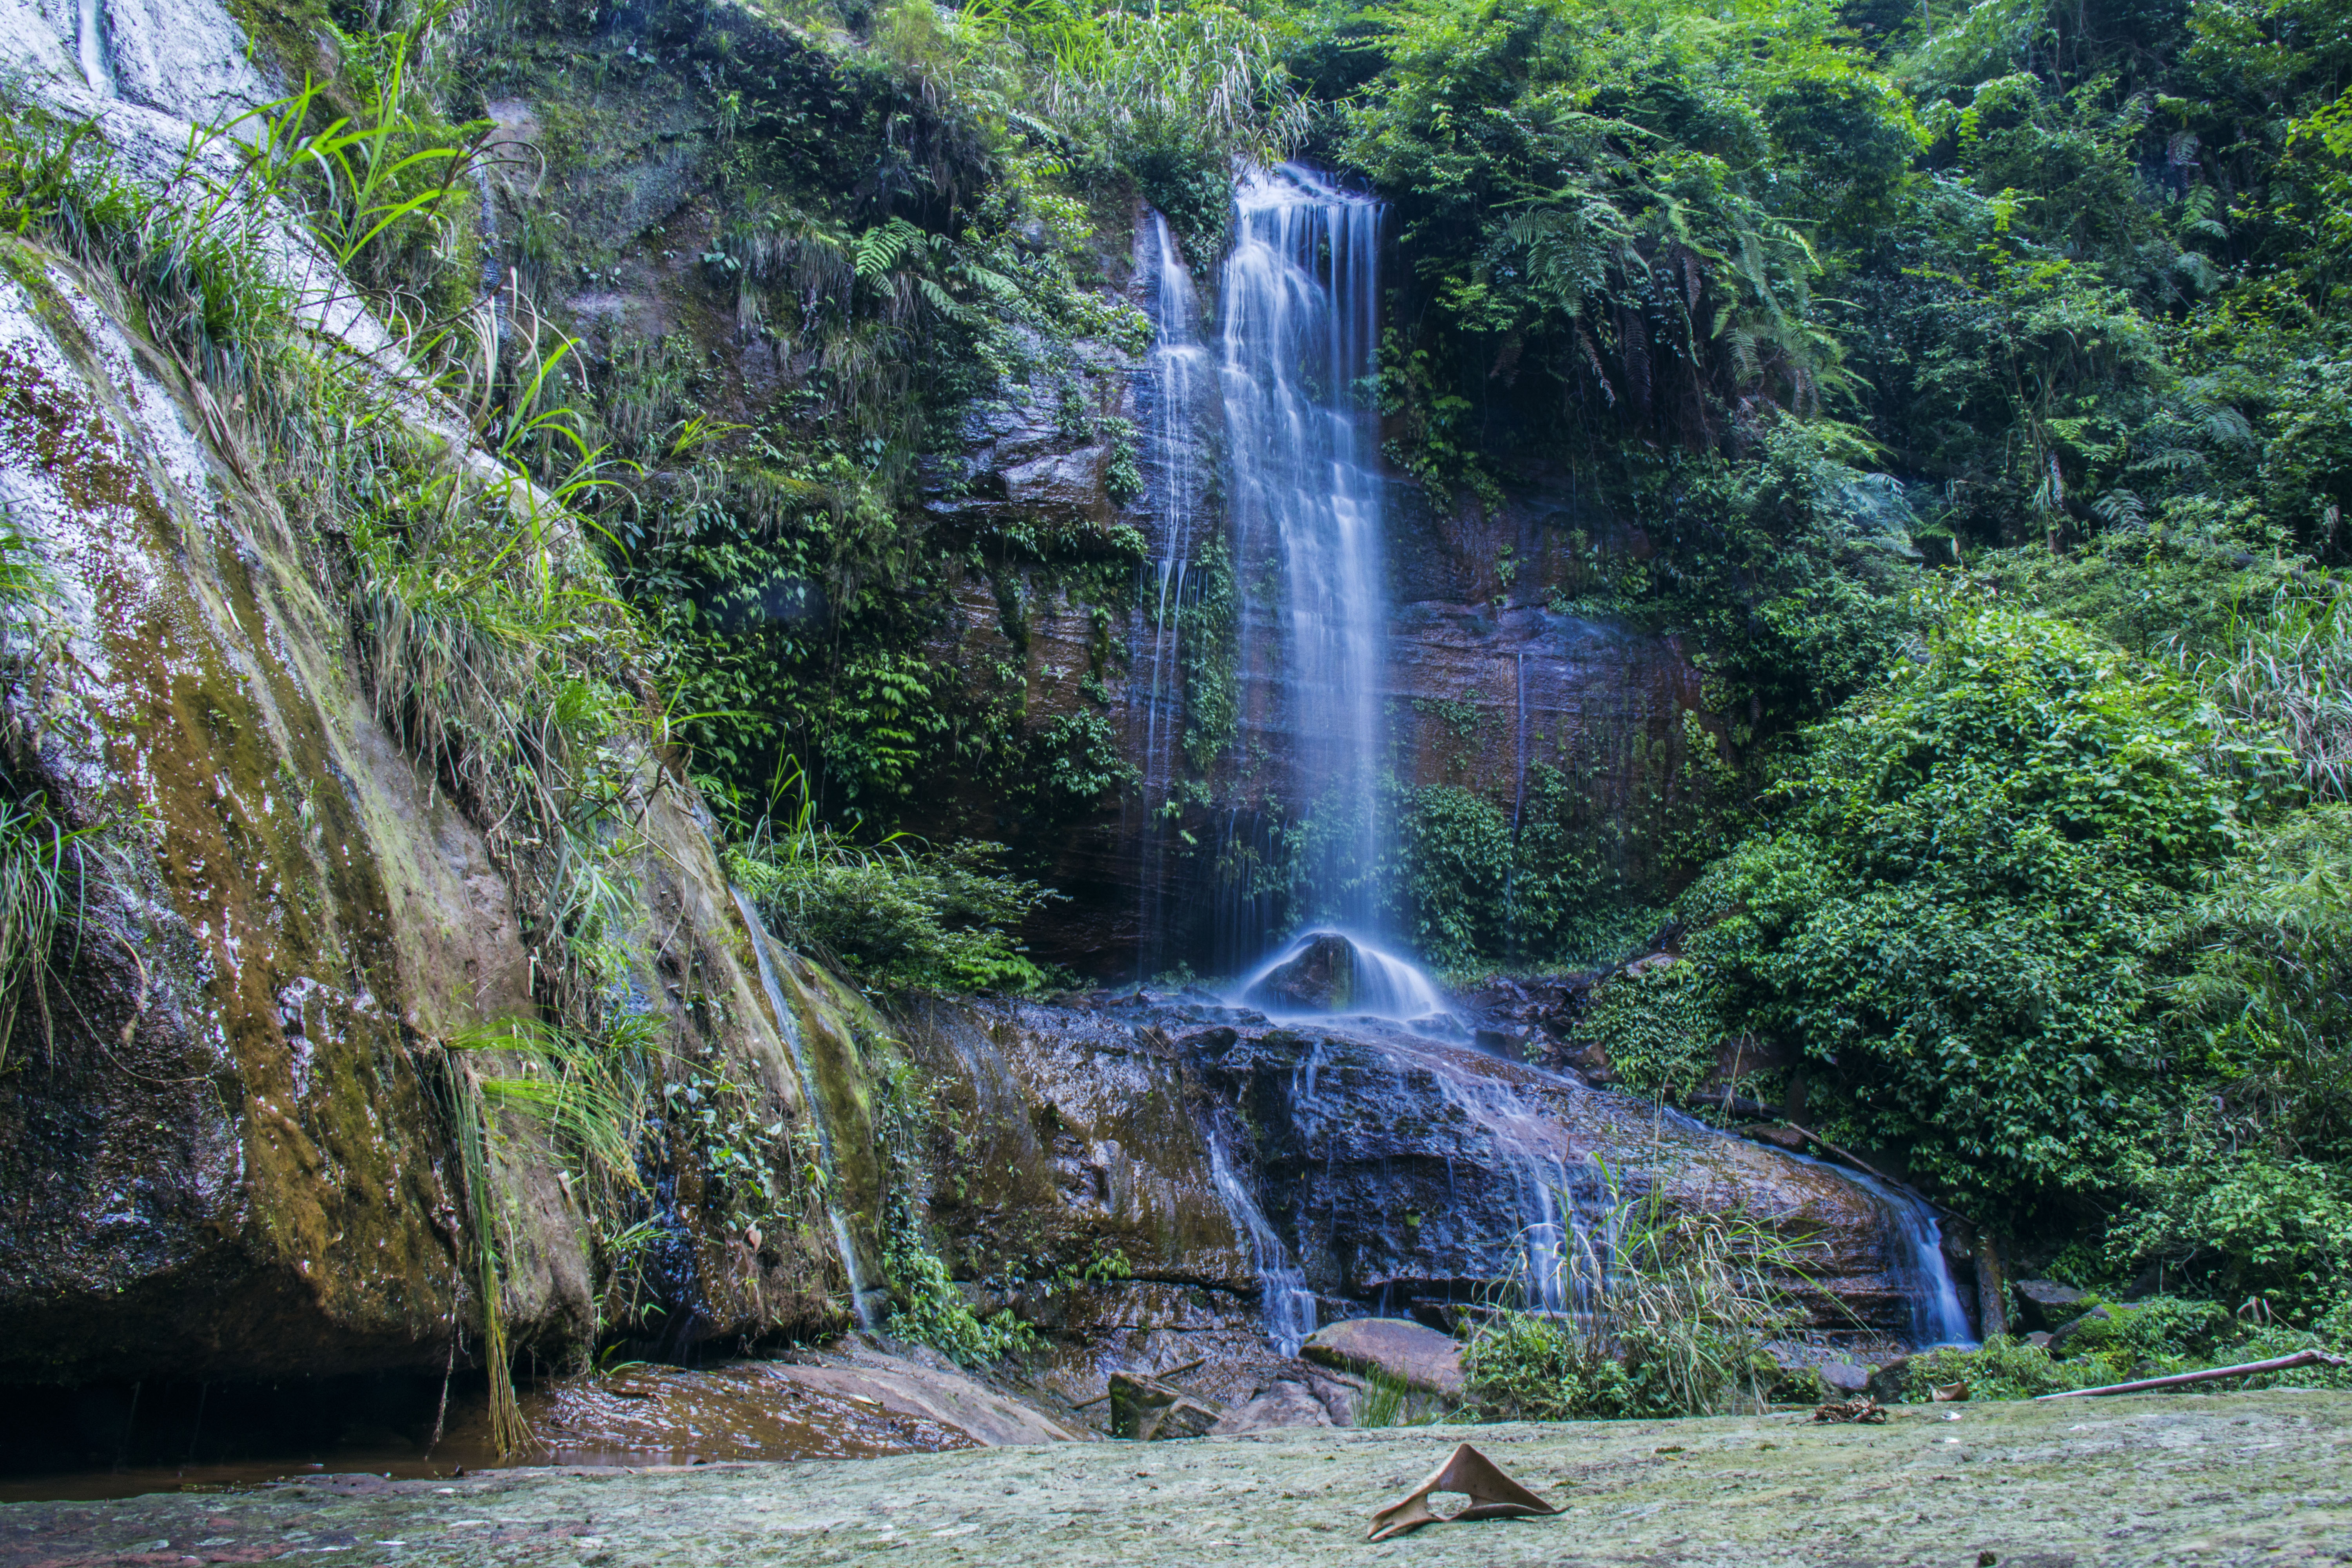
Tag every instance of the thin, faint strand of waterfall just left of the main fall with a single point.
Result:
(1172, 389)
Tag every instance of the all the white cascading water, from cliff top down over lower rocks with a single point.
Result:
(1295, 351)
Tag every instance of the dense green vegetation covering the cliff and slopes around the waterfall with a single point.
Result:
(1967, 389)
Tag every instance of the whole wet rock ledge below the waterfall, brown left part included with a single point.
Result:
(1401, 1174)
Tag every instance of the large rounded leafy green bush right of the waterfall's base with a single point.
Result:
(1958, 909)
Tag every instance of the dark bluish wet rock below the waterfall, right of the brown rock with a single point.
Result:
(1408, 1174)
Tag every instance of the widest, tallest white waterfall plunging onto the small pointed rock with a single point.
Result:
(1297, 344)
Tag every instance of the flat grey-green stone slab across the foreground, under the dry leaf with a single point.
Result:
(2189, 1480)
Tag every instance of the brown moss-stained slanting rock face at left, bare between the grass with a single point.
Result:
(225, 1148)
